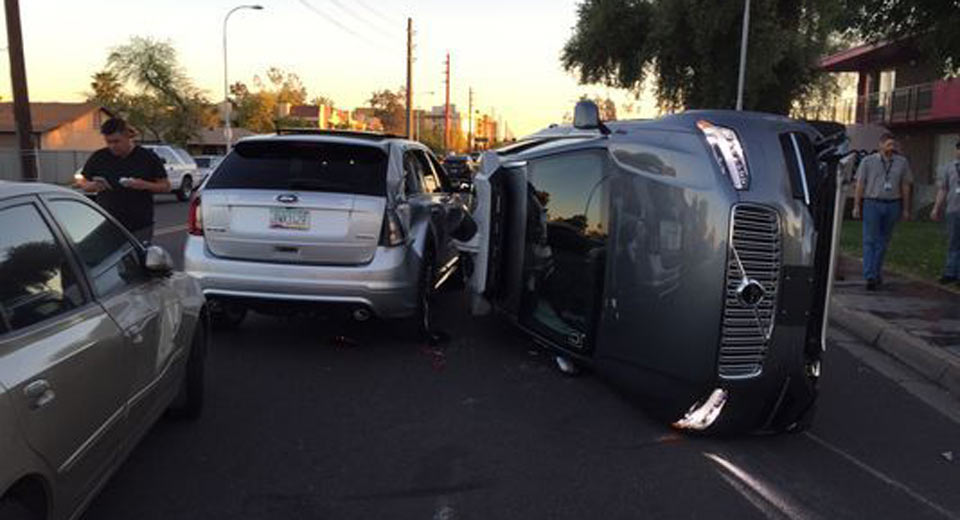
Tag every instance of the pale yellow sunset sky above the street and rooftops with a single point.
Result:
(345, 49)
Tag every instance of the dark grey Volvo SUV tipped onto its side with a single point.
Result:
(688, 259)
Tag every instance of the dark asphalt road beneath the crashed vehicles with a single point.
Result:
(303, 424)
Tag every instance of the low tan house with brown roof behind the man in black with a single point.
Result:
(57, 126)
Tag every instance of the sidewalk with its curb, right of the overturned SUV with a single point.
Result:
(916, 322)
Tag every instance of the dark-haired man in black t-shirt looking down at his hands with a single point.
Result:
(125, 176)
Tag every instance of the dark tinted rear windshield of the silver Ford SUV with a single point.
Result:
(303, 166)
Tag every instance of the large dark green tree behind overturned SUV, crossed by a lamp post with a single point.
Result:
(692, 48)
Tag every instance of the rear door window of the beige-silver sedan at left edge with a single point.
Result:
(37, 282)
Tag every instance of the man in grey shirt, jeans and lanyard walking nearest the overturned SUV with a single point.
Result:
(882, 195)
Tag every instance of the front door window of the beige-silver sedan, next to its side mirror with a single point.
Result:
(111, 259)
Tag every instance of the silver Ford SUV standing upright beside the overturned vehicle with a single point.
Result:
(306, 220)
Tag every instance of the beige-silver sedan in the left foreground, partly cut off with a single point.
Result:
(98, 337)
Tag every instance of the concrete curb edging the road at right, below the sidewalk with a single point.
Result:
(930, 361)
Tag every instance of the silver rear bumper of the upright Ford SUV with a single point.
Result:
(386, 285)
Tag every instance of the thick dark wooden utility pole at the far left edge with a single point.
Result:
(21, 98)
